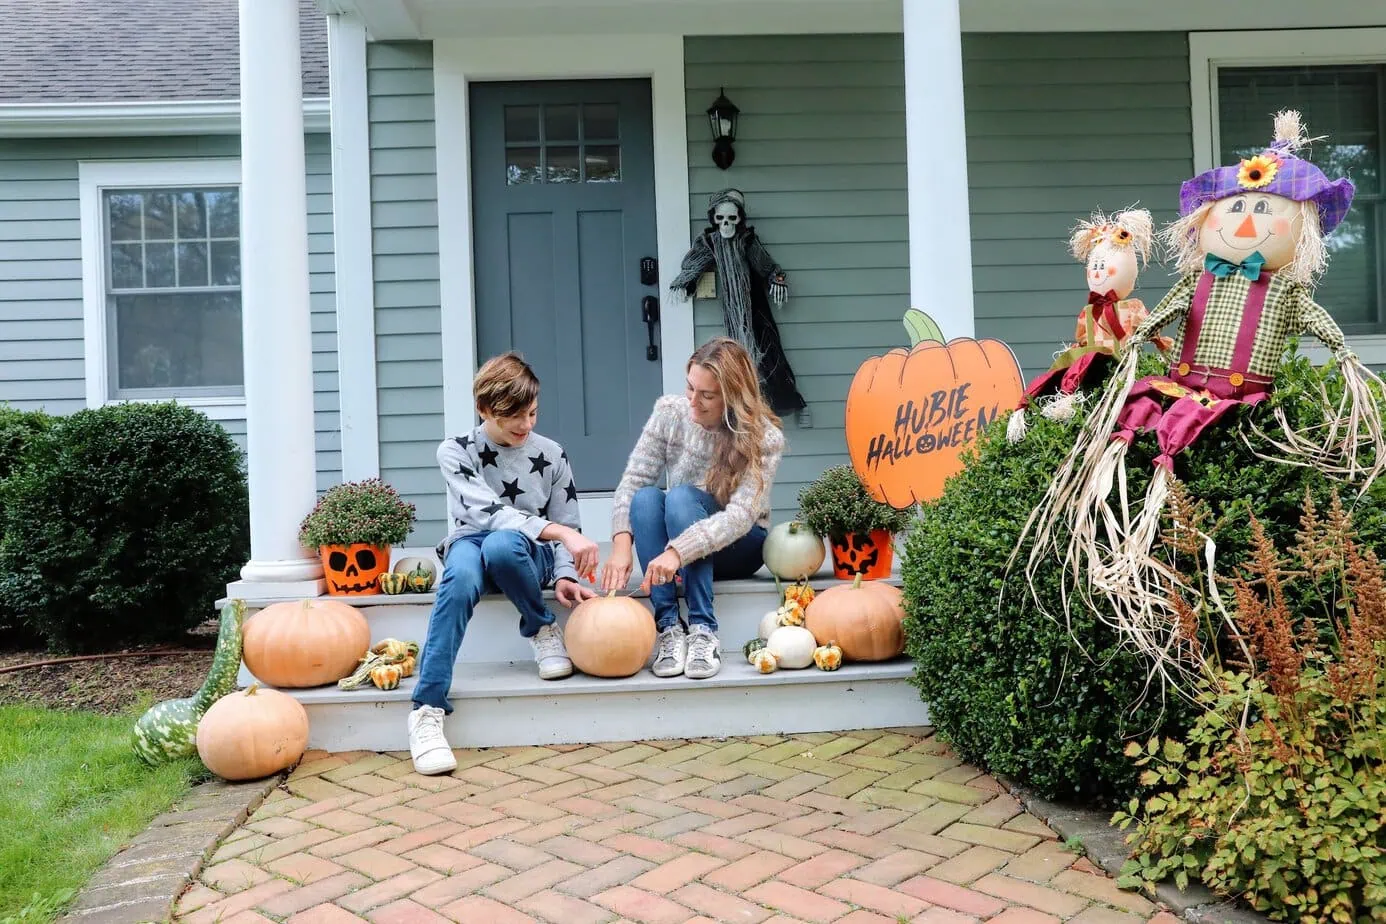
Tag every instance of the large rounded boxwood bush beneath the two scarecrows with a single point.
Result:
(1007, 684)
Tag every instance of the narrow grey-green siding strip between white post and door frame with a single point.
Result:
(404, 195)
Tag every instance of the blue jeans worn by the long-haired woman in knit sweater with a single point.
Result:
(658, 516)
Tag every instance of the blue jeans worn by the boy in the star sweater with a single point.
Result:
(505, 562)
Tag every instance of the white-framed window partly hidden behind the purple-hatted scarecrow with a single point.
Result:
(1337, 78)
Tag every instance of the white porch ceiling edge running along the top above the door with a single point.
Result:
(389, 20)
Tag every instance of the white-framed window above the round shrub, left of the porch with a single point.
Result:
(163, 293)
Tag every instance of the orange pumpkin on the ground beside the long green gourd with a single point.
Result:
(253, 734)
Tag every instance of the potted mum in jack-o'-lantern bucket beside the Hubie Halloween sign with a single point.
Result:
(860, 530)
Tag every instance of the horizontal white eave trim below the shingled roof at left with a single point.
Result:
(192, 117)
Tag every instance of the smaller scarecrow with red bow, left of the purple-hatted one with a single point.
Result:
(1112, 250)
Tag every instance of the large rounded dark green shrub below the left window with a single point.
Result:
(123, 526)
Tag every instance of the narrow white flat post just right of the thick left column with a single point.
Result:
(353, 250)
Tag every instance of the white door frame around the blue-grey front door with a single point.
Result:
(462, 62)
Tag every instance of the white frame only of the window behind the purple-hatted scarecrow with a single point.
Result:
(1276, 49)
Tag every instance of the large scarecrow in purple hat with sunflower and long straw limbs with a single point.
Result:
(1249, 245)
